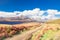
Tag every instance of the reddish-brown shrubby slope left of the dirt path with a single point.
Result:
(7, 31)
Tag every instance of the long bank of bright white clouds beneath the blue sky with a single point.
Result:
(35, 14)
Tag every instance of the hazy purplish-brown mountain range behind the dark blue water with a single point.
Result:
(16, 19)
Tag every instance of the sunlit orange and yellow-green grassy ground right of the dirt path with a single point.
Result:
(48, 32)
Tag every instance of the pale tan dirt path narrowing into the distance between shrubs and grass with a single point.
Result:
(24, 36)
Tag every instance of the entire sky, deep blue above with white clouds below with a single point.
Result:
(34, 9)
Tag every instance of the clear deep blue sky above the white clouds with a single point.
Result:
(20, 5)
